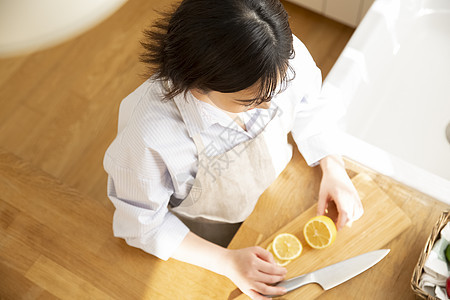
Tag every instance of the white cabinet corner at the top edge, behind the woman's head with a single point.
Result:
(348, 12)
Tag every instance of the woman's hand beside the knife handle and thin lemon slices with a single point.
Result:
(253, 270)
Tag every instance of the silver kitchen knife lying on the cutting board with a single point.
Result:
(336, 274)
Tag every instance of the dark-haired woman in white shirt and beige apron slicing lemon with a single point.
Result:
(201, 140)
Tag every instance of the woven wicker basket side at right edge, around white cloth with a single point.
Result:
(443, 220)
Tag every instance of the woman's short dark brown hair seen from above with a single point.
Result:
(225, 46)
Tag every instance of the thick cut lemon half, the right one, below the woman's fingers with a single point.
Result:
(320, 232)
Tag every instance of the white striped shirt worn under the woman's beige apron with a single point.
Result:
(154, 157)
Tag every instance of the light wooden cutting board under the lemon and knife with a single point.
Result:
(382, 221)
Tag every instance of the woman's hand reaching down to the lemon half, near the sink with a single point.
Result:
(337, 187)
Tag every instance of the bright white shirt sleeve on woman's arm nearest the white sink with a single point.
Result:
(315, 129)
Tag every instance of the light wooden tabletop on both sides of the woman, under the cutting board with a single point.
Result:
(57, 243)
